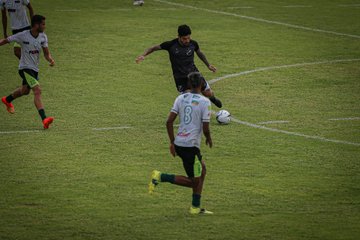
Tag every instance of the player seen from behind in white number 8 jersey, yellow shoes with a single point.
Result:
(194, 111)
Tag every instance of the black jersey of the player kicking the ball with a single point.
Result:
(181, 57)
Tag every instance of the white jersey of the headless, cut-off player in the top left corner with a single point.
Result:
(17, 12)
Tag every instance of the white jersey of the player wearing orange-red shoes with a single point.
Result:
(30, 48)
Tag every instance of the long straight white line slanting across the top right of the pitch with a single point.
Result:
(259, 19)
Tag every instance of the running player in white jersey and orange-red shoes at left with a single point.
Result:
(31, 41)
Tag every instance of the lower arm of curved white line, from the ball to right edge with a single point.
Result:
(293, 133)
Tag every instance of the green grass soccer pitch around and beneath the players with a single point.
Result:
(287, 167)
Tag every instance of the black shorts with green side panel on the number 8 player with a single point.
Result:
(192, 166)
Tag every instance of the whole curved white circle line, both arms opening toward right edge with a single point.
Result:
(278, 130)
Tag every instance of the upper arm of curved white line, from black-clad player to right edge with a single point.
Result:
(280, 67)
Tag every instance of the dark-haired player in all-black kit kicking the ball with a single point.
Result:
(181, 53)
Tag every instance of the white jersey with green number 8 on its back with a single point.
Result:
(193, 110)
